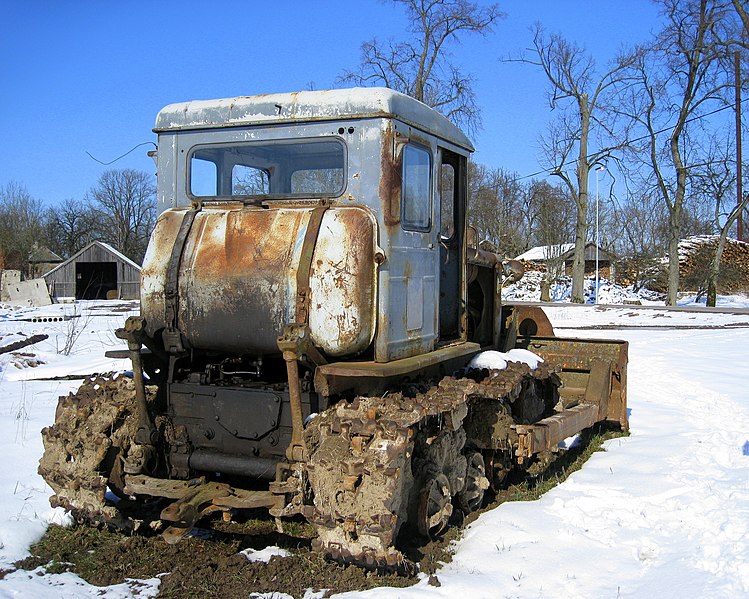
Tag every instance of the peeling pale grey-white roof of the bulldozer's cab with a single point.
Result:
(308, 106)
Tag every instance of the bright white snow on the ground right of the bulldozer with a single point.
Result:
(664, 512)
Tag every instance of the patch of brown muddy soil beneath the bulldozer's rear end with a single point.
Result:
(208, 564)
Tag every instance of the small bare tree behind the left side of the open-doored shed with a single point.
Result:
(70, 226)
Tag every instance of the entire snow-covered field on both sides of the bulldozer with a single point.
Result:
(662, 513)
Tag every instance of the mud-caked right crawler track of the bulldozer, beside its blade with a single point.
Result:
(380, 463)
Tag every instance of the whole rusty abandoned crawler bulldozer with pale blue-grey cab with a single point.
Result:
(312, 306)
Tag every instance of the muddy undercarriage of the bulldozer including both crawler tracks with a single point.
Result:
(375, 469)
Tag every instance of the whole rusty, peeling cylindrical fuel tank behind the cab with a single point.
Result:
(235, 276)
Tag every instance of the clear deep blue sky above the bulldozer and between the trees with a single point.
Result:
(81, 76)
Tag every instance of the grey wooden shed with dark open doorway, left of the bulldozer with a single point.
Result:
(98, 271)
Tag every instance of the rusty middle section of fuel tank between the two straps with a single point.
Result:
(234, 286)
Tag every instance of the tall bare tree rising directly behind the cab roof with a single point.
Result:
(420, 66)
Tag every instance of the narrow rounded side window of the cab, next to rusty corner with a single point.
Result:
(416, 205)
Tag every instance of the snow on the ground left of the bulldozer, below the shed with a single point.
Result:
(27, 404)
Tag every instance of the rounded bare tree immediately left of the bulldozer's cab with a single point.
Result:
(125, 205)
